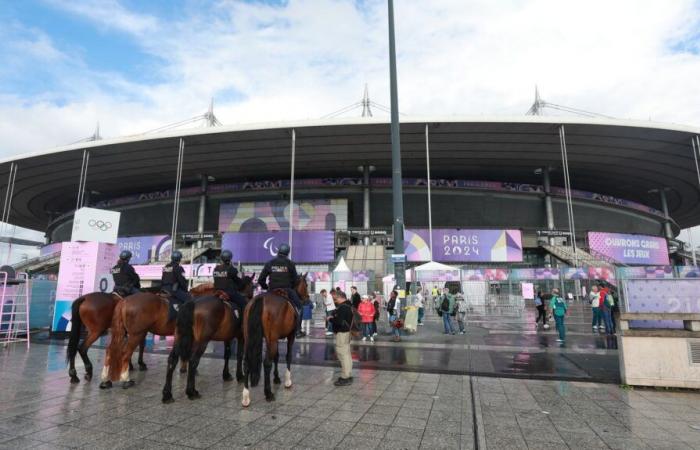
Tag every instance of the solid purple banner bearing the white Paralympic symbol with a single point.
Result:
(307, 246)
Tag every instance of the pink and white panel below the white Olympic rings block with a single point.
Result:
(84, 268)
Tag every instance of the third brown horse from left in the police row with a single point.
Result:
(198, 322)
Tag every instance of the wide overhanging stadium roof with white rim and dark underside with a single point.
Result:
(625, 159)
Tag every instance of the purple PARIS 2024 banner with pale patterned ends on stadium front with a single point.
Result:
(452, 245)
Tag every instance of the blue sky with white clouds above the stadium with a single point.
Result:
(133, 66)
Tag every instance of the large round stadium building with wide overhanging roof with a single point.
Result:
(486, 173)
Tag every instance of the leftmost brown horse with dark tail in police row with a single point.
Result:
(94, 312)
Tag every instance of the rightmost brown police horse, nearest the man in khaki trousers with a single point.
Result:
(272, 317)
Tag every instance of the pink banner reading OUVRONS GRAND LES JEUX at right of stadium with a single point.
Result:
(632, 249)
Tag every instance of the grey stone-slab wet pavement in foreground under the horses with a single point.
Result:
(40, 409)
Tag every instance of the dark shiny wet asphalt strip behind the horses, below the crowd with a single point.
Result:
(499, 342)
